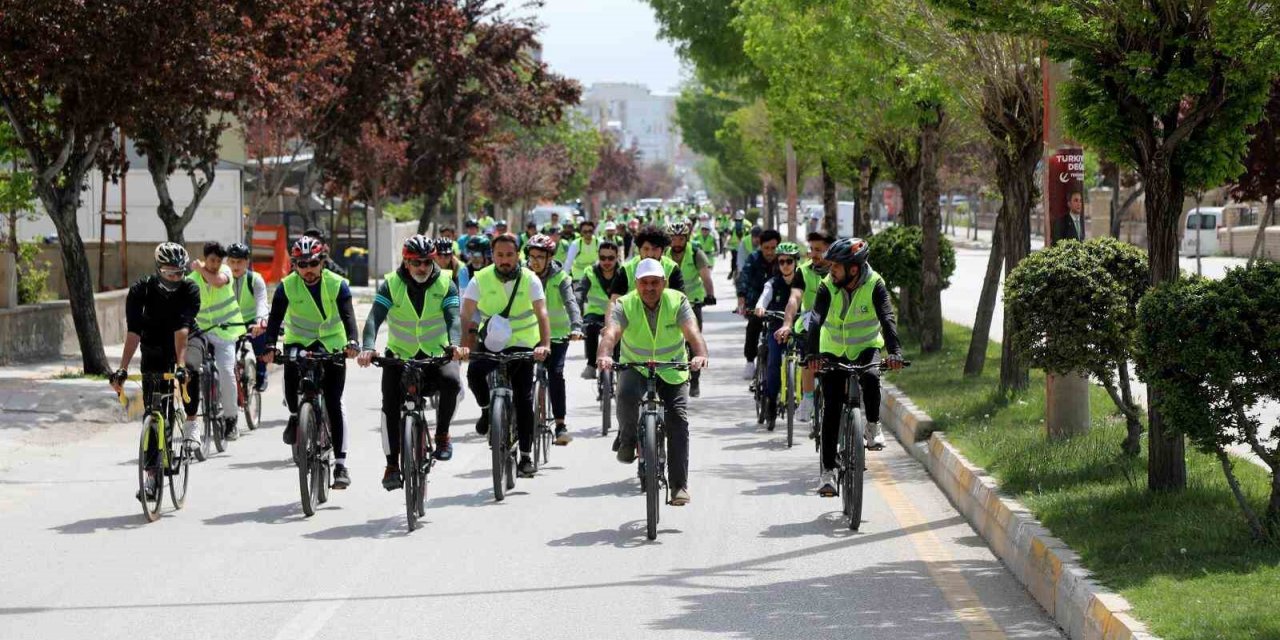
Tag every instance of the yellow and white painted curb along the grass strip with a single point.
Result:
(1046, 566)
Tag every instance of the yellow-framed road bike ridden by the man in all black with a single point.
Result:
(157, 431)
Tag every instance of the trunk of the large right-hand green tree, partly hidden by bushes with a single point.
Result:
(1167, 464)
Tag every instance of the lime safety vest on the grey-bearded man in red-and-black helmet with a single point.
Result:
(409, 332)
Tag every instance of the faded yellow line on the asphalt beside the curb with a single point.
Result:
(956, 589)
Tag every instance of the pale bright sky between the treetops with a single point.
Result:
(609, 42)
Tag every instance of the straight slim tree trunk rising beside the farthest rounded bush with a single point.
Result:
(931, 259)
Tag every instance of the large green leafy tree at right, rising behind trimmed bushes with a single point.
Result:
(1172, 89)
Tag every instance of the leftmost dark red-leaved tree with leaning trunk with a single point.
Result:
(63, 84)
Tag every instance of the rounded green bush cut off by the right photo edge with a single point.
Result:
(1210, 351)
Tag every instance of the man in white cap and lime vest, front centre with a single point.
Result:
(655, 324)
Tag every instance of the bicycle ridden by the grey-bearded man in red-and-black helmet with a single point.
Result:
(418, 455)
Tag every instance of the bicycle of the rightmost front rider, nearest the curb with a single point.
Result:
(852, 447)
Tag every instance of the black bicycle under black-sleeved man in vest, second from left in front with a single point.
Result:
(313, 450)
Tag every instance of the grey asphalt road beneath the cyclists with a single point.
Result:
(755, 556)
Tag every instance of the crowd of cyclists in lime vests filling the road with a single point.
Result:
(634, 294)
